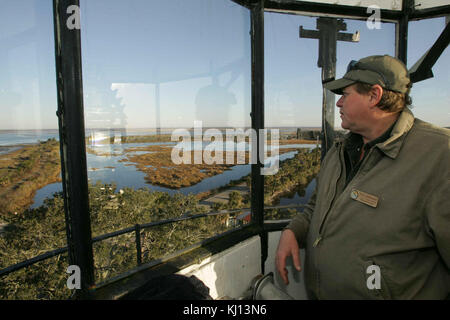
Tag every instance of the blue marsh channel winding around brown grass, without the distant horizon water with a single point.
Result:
(108, 165)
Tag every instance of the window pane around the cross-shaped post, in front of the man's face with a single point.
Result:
(293, 99)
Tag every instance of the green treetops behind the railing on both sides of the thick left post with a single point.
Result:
(43, 229)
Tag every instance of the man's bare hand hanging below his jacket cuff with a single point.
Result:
(287, 246)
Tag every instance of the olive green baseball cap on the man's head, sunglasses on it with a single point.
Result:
(389, 72)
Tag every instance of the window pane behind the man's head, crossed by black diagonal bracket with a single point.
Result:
(430, 98)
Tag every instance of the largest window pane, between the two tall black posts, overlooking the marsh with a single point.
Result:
(156, 74)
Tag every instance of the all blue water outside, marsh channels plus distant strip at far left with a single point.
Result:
(107, 168)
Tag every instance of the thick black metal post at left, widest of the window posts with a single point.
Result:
(72, 140)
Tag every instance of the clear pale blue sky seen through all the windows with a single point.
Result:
(172, 62)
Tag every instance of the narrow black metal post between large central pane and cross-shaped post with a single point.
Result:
(257, 189)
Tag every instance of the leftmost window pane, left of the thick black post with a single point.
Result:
(31, 215)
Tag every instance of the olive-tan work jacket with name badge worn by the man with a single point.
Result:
(394, 214)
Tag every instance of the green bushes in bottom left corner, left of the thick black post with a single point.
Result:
(30, 234)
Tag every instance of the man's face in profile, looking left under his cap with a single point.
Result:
(354, 108)
